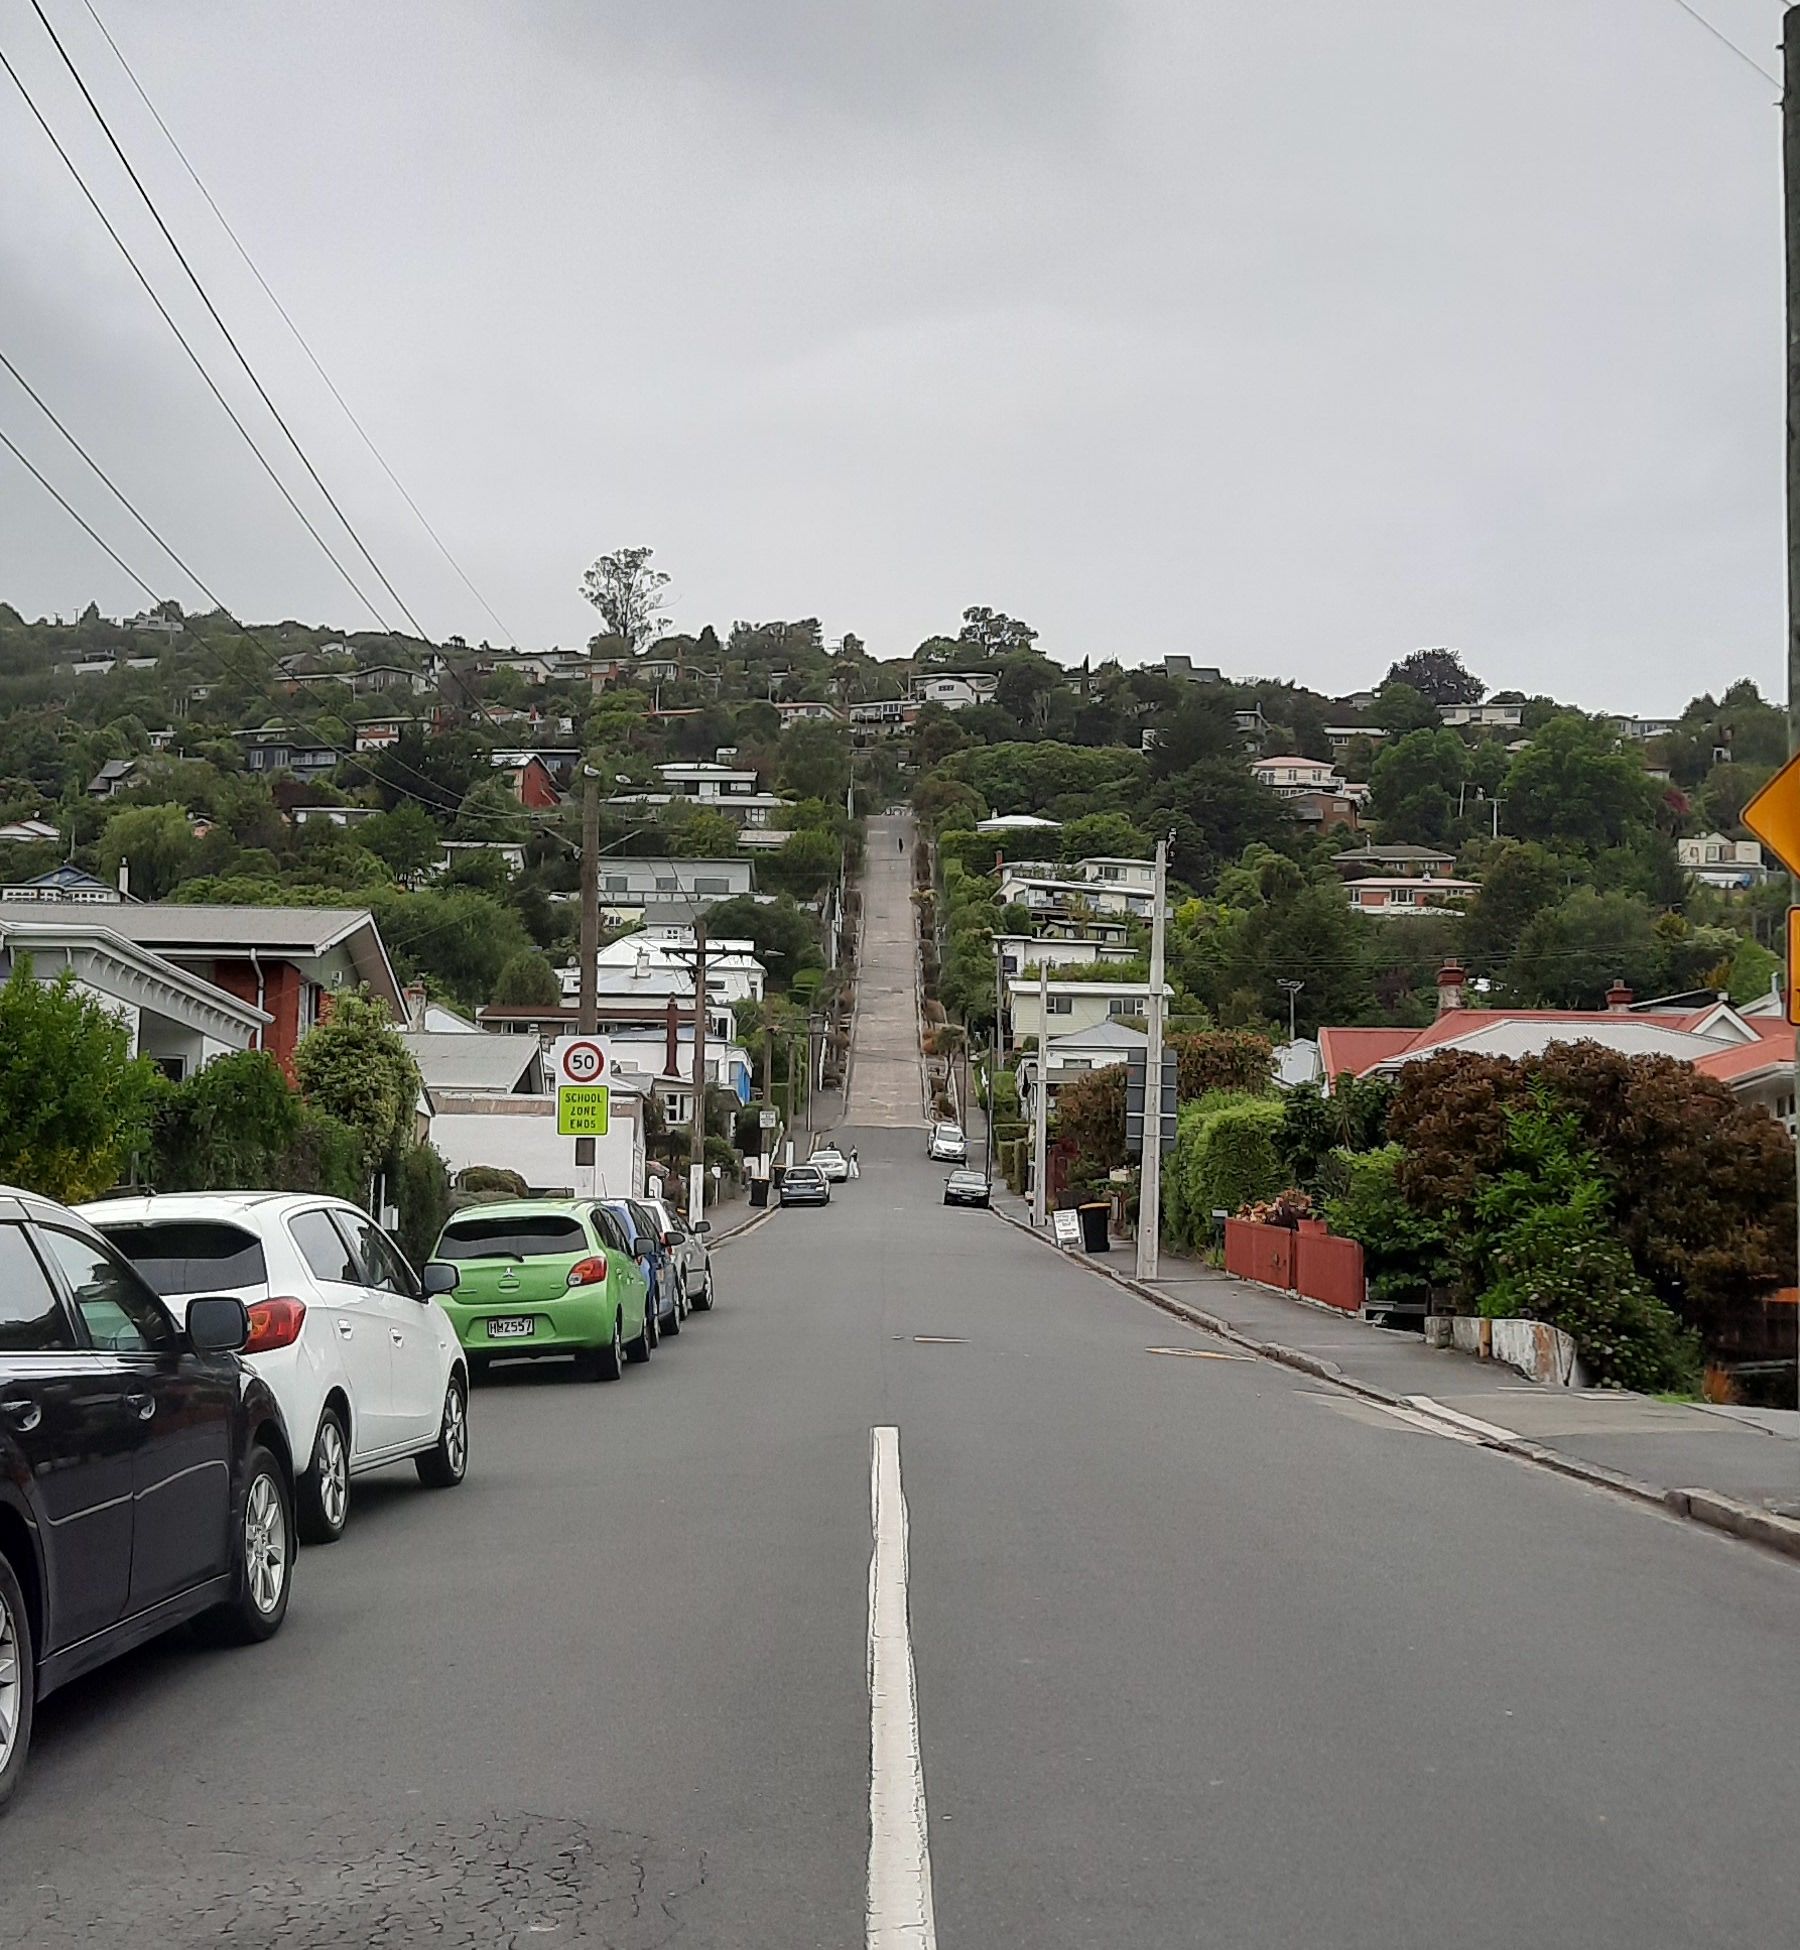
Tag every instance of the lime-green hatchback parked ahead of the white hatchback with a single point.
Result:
(547, 1276)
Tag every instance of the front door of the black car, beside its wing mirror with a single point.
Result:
(182, 1407)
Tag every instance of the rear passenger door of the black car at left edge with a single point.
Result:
(63, 1415)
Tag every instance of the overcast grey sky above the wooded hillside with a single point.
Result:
(1292, 336)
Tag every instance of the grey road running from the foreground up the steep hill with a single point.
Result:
(1122, 1641)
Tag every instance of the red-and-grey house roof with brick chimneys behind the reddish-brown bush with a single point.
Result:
(1750, 1050)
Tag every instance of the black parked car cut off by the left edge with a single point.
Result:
(145, 1473)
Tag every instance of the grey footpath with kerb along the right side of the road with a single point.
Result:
(1737, 1469)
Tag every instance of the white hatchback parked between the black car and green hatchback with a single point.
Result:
(360, 1356)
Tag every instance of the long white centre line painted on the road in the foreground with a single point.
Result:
(900, 1867)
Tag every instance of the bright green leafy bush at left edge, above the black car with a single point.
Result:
(75, 1105)
